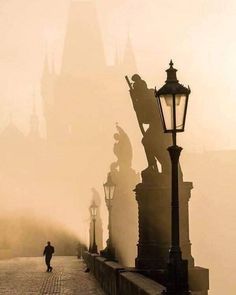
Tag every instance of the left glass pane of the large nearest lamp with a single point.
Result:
(166, 103)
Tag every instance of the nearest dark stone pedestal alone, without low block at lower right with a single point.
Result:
(154, 207)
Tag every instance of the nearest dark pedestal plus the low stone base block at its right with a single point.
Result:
(154, 208)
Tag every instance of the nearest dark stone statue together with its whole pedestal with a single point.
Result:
(153, 195)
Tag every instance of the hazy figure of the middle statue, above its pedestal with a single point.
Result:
(122, 149)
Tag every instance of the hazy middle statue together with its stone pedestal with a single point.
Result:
(125, 179)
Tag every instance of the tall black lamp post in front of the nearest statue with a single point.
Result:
(173, 101)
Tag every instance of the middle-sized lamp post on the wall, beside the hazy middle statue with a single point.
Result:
(109, 189)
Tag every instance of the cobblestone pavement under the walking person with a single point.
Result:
(25, 276)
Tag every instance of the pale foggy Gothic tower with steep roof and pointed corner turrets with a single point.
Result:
(84, 78)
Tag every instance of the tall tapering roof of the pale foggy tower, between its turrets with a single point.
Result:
(83, 50)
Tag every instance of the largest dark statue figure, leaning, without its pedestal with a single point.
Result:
(154, 140)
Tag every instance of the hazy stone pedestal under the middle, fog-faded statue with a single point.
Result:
(124, 216)
